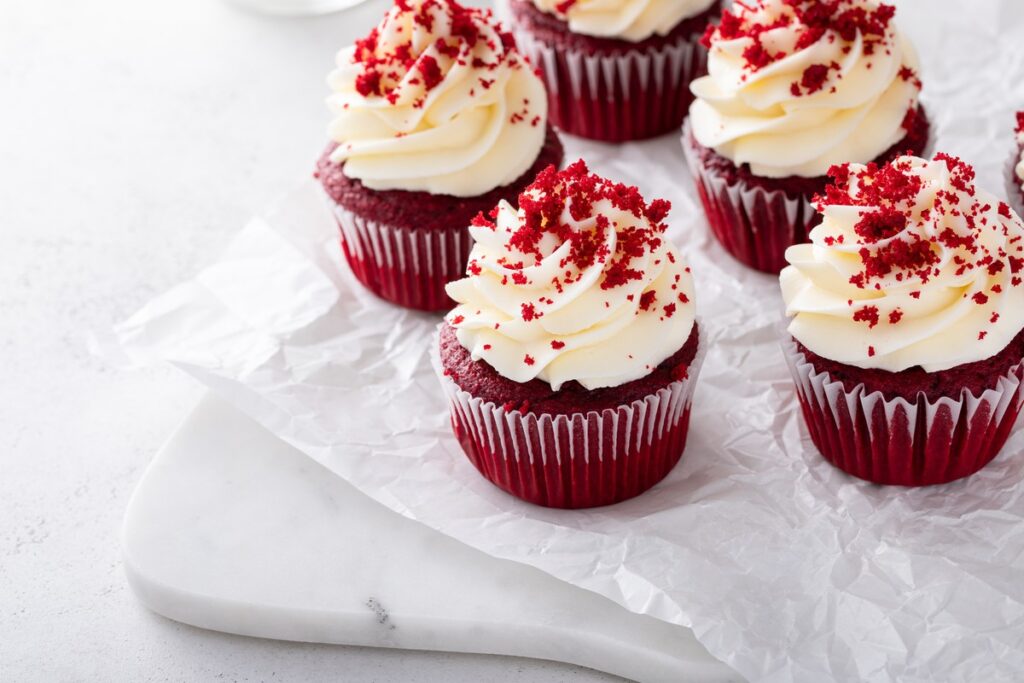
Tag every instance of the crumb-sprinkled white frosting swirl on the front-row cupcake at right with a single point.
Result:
(941, 291)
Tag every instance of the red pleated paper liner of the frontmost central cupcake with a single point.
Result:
(579, 461)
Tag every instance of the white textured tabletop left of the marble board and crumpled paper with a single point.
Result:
(136, 138)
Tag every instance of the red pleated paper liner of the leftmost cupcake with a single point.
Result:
(405, 267)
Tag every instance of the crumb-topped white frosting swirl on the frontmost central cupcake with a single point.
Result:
(577, 284)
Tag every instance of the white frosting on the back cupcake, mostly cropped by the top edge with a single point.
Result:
(633, 21)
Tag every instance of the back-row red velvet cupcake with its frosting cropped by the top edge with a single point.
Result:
(616, 70)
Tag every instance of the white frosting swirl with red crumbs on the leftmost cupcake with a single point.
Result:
(420, 107)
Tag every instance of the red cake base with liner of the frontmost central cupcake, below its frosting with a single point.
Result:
(586, 449)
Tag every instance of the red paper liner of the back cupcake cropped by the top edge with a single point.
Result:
(615, 98)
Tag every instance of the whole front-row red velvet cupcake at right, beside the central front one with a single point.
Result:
(908, 309)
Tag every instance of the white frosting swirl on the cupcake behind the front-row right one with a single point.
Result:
(796, 88)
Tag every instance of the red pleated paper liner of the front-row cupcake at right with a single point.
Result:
(895, 442)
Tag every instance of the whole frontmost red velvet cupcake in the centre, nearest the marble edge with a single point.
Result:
(571, 361)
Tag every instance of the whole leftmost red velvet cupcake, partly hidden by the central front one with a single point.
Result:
(438, 117)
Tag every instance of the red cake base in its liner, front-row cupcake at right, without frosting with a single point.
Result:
(911, 429)
